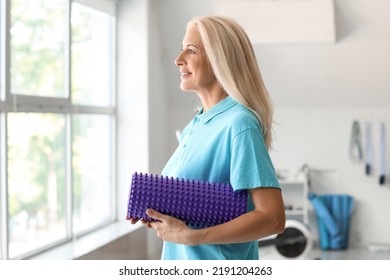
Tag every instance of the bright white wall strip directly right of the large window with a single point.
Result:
(132, 100)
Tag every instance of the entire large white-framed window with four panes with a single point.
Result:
(57, 122)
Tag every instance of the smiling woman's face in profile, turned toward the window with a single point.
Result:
(195, 69)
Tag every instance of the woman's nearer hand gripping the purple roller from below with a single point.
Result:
(171, 229)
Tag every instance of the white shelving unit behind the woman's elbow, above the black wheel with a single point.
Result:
(295, 197)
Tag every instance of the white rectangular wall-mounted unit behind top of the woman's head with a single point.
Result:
(283, 21)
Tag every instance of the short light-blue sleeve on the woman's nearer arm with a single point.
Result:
(250, 165)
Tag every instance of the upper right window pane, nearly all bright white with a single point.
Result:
(91, 56)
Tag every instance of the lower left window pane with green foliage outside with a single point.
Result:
(36, 174)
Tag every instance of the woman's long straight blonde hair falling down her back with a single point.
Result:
(234, 63)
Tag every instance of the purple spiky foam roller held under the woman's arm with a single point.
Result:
(198, 203)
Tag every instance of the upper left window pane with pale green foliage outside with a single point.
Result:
(37, 47)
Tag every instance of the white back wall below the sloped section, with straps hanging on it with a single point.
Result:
(321, 138)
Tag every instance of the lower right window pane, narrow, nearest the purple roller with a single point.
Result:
(91, 171)
